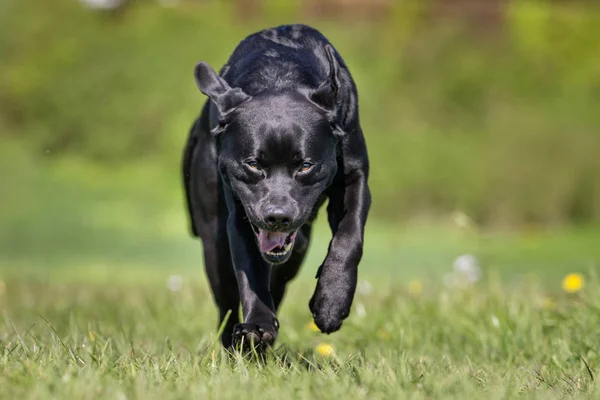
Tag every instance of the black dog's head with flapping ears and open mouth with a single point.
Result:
(277, 152)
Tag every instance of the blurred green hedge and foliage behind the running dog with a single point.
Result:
(509, 127)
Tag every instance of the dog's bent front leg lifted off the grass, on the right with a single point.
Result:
(347, 210)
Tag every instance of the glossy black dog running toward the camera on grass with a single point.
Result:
(279, 135)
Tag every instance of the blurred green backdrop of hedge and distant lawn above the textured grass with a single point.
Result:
(482, 121)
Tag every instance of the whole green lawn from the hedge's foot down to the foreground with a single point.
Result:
(93, 330)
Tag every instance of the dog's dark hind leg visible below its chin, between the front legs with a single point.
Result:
(281, 275)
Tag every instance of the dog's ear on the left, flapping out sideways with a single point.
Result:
(222, 95)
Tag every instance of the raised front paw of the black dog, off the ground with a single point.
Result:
(329, 308)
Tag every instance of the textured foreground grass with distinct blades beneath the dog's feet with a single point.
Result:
(122, 339)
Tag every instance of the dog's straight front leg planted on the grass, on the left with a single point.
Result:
(260, 325)
